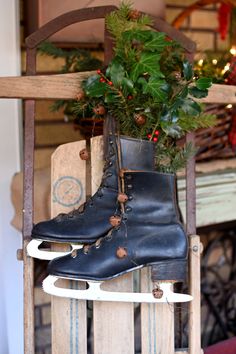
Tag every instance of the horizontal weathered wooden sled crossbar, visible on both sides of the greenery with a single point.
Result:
(67, 86)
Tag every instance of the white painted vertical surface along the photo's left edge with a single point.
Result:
(11, 274)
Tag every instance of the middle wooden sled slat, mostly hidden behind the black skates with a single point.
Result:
(113, 322)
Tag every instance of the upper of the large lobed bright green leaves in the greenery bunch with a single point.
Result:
(147, 64)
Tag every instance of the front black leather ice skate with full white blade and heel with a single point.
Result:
(149, 234)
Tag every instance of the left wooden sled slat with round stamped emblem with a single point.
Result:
(69, 316)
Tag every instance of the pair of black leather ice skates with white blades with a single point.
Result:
(131, 222)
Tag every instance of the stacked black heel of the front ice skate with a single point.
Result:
(171, 271)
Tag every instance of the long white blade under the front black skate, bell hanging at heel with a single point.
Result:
(95, 293)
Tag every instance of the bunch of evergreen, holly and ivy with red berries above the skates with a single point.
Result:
(149, 87)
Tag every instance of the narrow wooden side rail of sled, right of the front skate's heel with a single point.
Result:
(195, 291)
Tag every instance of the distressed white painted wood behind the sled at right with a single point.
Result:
(216, 198)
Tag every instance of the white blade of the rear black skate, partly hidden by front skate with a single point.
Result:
(34, 251)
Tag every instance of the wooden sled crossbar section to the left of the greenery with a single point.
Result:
(65, 86)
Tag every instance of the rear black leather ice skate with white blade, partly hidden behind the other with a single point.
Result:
(92, 220)
